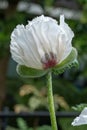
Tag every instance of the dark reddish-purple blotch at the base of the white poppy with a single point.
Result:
(49, 60)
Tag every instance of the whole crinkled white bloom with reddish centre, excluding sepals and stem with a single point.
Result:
(42, 43)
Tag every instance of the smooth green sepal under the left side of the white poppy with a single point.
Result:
(30, 72)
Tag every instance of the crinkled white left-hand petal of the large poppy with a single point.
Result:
(22, 50)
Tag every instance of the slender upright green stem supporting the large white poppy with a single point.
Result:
(51, 102)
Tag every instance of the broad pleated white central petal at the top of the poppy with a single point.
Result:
(44, 31)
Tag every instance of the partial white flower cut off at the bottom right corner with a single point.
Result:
(81, 119)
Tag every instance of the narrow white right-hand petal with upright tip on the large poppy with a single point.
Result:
(68, 34)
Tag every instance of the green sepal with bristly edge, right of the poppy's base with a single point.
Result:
(70, 61)
